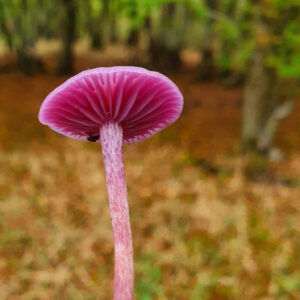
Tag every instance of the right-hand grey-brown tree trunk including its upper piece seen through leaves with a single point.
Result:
(263, 106)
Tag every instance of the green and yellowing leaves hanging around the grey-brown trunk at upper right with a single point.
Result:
(241, 26)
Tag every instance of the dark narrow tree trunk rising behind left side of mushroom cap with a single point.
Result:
(68, 37)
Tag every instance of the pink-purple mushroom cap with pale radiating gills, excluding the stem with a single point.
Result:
(142, 102)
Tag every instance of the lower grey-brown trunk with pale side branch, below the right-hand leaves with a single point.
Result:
(262, 108)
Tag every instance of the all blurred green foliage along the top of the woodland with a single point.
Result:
(230, 23)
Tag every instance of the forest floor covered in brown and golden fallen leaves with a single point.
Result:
(207, 221)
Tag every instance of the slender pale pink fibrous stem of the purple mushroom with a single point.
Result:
(111, 137)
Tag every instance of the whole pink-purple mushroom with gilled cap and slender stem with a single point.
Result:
(114, 106)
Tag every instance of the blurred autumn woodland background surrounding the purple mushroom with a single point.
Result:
(214, 199)
